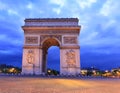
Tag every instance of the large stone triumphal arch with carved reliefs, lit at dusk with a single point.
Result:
(42, 33)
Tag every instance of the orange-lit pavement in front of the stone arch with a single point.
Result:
(38, 84)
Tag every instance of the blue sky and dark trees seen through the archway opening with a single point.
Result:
(53, 60)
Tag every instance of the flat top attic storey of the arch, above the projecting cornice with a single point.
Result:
(54, 22)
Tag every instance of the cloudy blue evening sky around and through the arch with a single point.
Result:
(99, 38)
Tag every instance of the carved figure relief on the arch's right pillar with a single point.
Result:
(70, 58)
